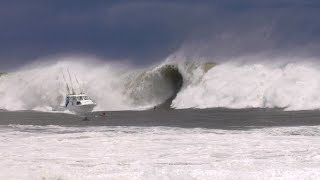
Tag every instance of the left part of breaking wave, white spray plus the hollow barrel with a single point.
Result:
(112, 86)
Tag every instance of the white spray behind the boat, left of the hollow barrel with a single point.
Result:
(42, 87)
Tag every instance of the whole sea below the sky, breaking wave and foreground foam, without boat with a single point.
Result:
(256, 119)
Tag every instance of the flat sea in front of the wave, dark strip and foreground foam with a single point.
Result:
(161, 144)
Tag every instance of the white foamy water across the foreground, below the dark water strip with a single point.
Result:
(53, 152)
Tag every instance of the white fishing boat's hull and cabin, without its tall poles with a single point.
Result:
(79, 103)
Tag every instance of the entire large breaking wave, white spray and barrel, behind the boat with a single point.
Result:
(293, 85)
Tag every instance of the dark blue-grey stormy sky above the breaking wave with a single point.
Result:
(148, 31)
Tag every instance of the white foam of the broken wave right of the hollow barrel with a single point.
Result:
(293, 85)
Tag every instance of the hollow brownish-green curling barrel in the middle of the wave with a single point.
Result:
(155, 86)
